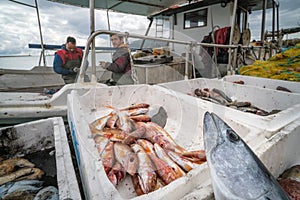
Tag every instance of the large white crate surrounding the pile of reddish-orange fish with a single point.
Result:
(184, 124)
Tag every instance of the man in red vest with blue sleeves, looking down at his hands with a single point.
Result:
(67, 60)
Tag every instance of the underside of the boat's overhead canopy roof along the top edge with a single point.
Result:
(159, 7)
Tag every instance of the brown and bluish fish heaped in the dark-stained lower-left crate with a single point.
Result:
(19, 179)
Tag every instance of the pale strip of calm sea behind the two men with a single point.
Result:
(27, 62)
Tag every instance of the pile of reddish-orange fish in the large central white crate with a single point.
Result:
(129, 143)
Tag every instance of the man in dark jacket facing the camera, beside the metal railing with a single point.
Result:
(120, 66)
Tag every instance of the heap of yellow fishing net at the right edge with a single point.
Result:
(282, 66)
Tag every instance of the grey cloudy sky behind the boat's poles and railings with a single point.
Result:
(19, 25)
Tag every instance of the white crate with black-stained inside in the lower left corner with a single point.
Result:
(32, 137)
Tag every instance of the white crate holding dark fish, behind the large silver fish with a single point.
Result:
(266, 99)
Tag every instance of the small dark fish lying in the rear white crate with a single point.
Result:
(219, 97)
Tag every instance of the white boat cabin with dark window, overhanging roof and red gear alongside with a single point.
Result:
(206, 21)
